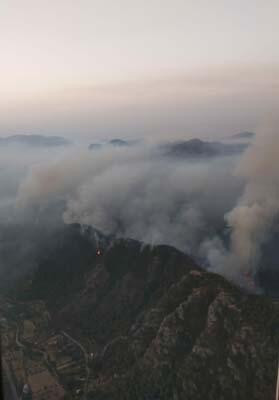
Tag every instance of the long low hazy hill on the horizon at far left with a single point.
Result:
(34, 141)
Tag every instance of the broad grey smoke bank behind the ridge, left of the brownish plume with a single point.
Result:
(137, 193)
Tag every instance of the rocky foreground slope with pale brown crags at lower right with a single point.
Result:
(202, 339)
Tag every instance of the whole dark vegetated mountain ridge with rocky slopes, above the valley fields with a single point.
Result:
(164, 328)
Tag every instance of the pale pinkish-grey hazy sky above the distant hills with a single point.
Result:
(92, 68)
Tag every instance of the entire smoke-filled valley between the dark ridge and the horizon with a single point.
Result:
(218, 202)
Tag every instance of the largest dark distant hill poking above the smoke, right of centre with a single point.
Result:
(196, 148)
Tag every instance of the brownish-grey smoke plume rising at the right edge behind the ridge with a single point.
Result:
(252, 222)
